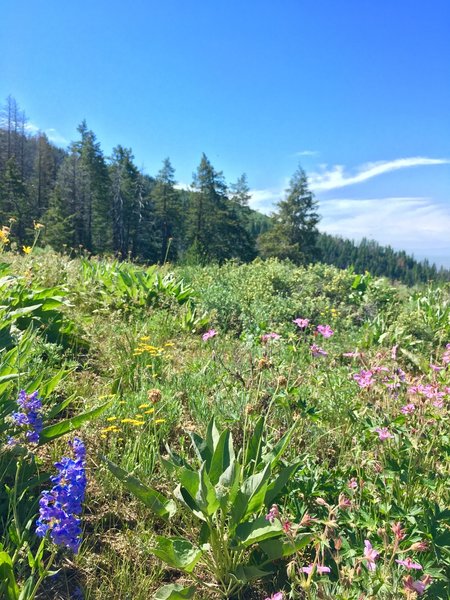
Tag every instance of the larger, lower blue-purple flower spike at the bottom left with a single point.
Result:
(59, 508)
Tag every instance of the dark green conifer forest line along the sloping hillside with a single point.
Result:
(107, 205)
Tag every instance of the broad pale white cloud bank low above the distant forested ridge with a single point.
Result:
(415, 224)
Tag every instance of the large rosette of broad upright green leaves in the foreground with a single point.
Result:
(228, 493)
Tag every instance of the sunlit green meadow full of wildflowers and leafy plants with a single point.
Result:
(264, 431)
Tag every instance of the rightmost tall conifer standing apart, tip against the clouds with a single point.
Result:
(294, 235)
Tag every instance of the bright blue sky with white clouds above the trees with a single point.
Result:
(356, 91)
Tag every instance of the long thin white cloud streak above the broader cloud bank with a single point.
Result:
(337, 176)
